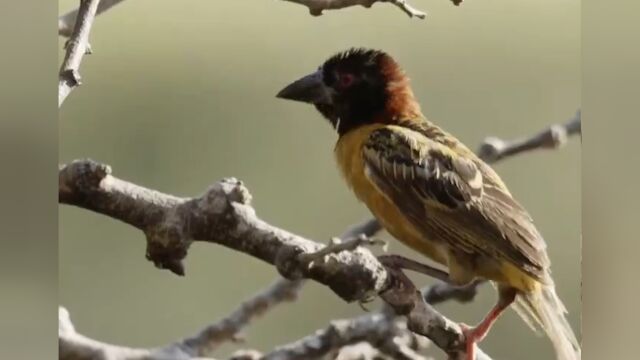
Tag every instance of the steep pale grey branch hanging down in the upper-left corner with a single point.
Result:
(76, 46)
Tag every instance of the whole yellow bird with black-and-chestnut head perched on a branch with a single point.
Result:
(431, 192)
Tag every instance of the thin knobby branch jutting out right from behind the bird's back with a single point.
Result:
(555, 136)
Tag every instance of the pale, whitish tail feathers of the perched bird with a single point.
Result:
(544, 310)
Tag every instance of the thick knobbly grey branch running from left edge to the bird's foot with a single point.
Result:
(223, 215)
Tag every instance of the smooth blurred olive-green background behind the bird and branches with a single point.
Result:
(178, 95)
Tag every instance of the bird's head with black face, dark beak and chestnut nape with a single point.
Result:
(356, 87)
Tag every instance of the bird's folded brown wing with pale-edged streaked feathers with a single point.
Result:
(459, 200)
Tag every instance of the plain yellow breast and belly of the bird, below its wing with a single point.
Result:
(348, 152)
